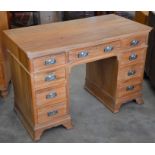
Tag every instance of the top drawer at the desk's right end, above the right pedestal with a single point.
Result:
(134, 41)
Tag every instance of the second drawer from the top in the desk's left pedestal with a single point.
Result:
(46, 79)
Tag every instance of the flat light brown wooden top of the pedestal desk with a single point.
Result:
(63, 36)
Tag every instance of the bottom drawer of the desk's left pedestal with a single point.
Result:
(51, 113)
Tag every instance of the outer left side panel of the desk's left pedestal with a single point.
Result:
(23, 93)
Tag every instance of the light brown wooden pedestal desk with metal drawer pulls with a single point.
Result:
(41, 58)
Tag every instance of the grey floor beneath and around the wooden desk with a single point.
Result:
(92, 121)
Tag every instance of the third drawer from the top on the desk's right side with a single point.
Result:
(132, 71)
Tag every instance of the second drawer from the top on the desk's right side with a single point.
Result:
(133, 56)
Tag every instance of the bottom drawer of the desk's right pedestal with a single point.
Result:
(130, 87)
